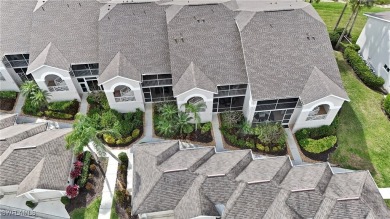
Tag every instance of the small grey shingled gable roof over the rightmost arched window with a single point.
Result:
(318, 86)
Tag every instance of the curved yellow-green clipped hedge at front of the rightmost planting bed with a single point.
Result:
(318, 146)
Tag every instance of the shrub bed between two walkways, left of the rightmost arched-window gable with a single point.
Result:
(266, 137)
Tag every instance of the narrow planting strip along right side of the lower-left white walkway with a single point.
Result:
(121, 206)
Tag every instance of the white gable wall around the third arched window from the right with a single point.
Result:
(128, 106)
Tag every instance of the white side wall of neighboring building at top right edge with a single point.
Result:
(374, 42)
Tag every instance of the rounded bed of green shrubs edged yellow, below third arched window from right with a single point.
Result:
(126, 127)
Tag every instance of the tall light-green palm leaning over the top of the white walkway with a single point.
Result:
(84, 133)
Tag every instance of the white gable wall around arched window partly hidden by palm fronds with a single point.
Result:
(207, 98)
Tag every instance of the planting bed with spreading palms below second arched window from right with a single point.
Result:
(169, 122)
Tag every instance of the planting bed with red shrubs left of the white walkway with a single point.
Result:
(92, 188)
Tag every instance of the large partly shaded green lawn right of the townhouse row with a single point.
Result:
(363, 133)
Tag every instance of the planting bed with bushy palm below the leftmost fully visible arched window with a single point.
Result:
(37, 104)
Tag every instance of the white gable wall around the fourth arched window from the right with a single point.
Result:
(40, 74)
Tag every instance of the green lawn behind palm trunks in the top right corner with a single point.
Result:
(330, 12)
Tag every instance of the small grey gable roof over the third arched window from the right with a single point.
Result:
(119, 66)
